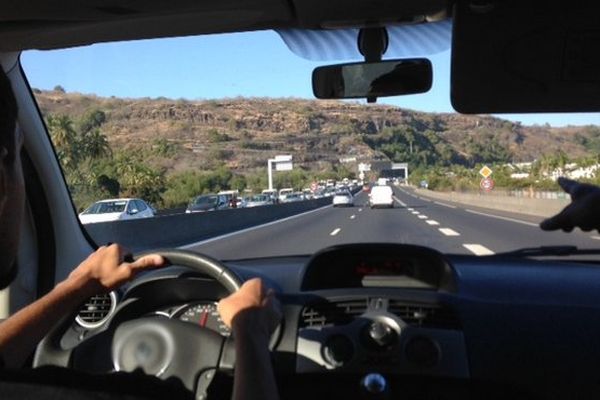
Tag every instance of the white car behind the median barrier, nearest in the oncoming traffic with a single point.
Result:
(115, 210)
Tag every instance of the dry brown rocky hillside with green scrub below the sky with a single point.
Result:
(242, 133)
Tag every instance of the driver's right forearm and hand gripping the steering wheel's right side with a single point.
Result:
(252, 313)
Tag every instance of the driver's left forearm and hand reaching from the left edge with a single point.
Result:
(102, 271)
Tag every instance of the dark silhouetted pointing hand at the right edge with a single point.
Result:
(583, 212)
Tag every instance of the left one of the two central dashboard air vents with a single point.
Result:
(332, 313)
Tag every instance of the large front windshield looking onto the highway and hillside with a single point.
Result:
(170, 120)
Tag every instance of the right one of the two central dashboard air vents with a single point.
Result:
(425, 315)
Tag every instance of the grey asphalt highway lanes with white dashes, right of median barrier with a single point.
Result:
(447, 227)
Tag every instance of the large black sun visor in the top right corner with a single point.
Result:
(517, 56)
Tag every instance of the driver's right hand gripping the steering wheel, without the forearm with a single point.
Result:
(252, 298)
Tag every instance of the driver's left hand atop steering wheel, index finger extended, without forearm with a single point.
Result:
(105, 270)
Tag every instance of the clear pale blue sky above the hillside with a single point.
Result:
(256, 64)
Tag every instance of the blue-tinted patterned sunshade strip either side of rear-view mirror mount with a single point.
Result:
(341, 44)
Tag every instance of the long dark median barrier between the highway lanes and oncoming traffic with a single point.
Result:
(181, 229)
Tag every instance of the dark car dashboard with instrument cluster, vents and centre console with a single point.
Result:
(362, 321)
